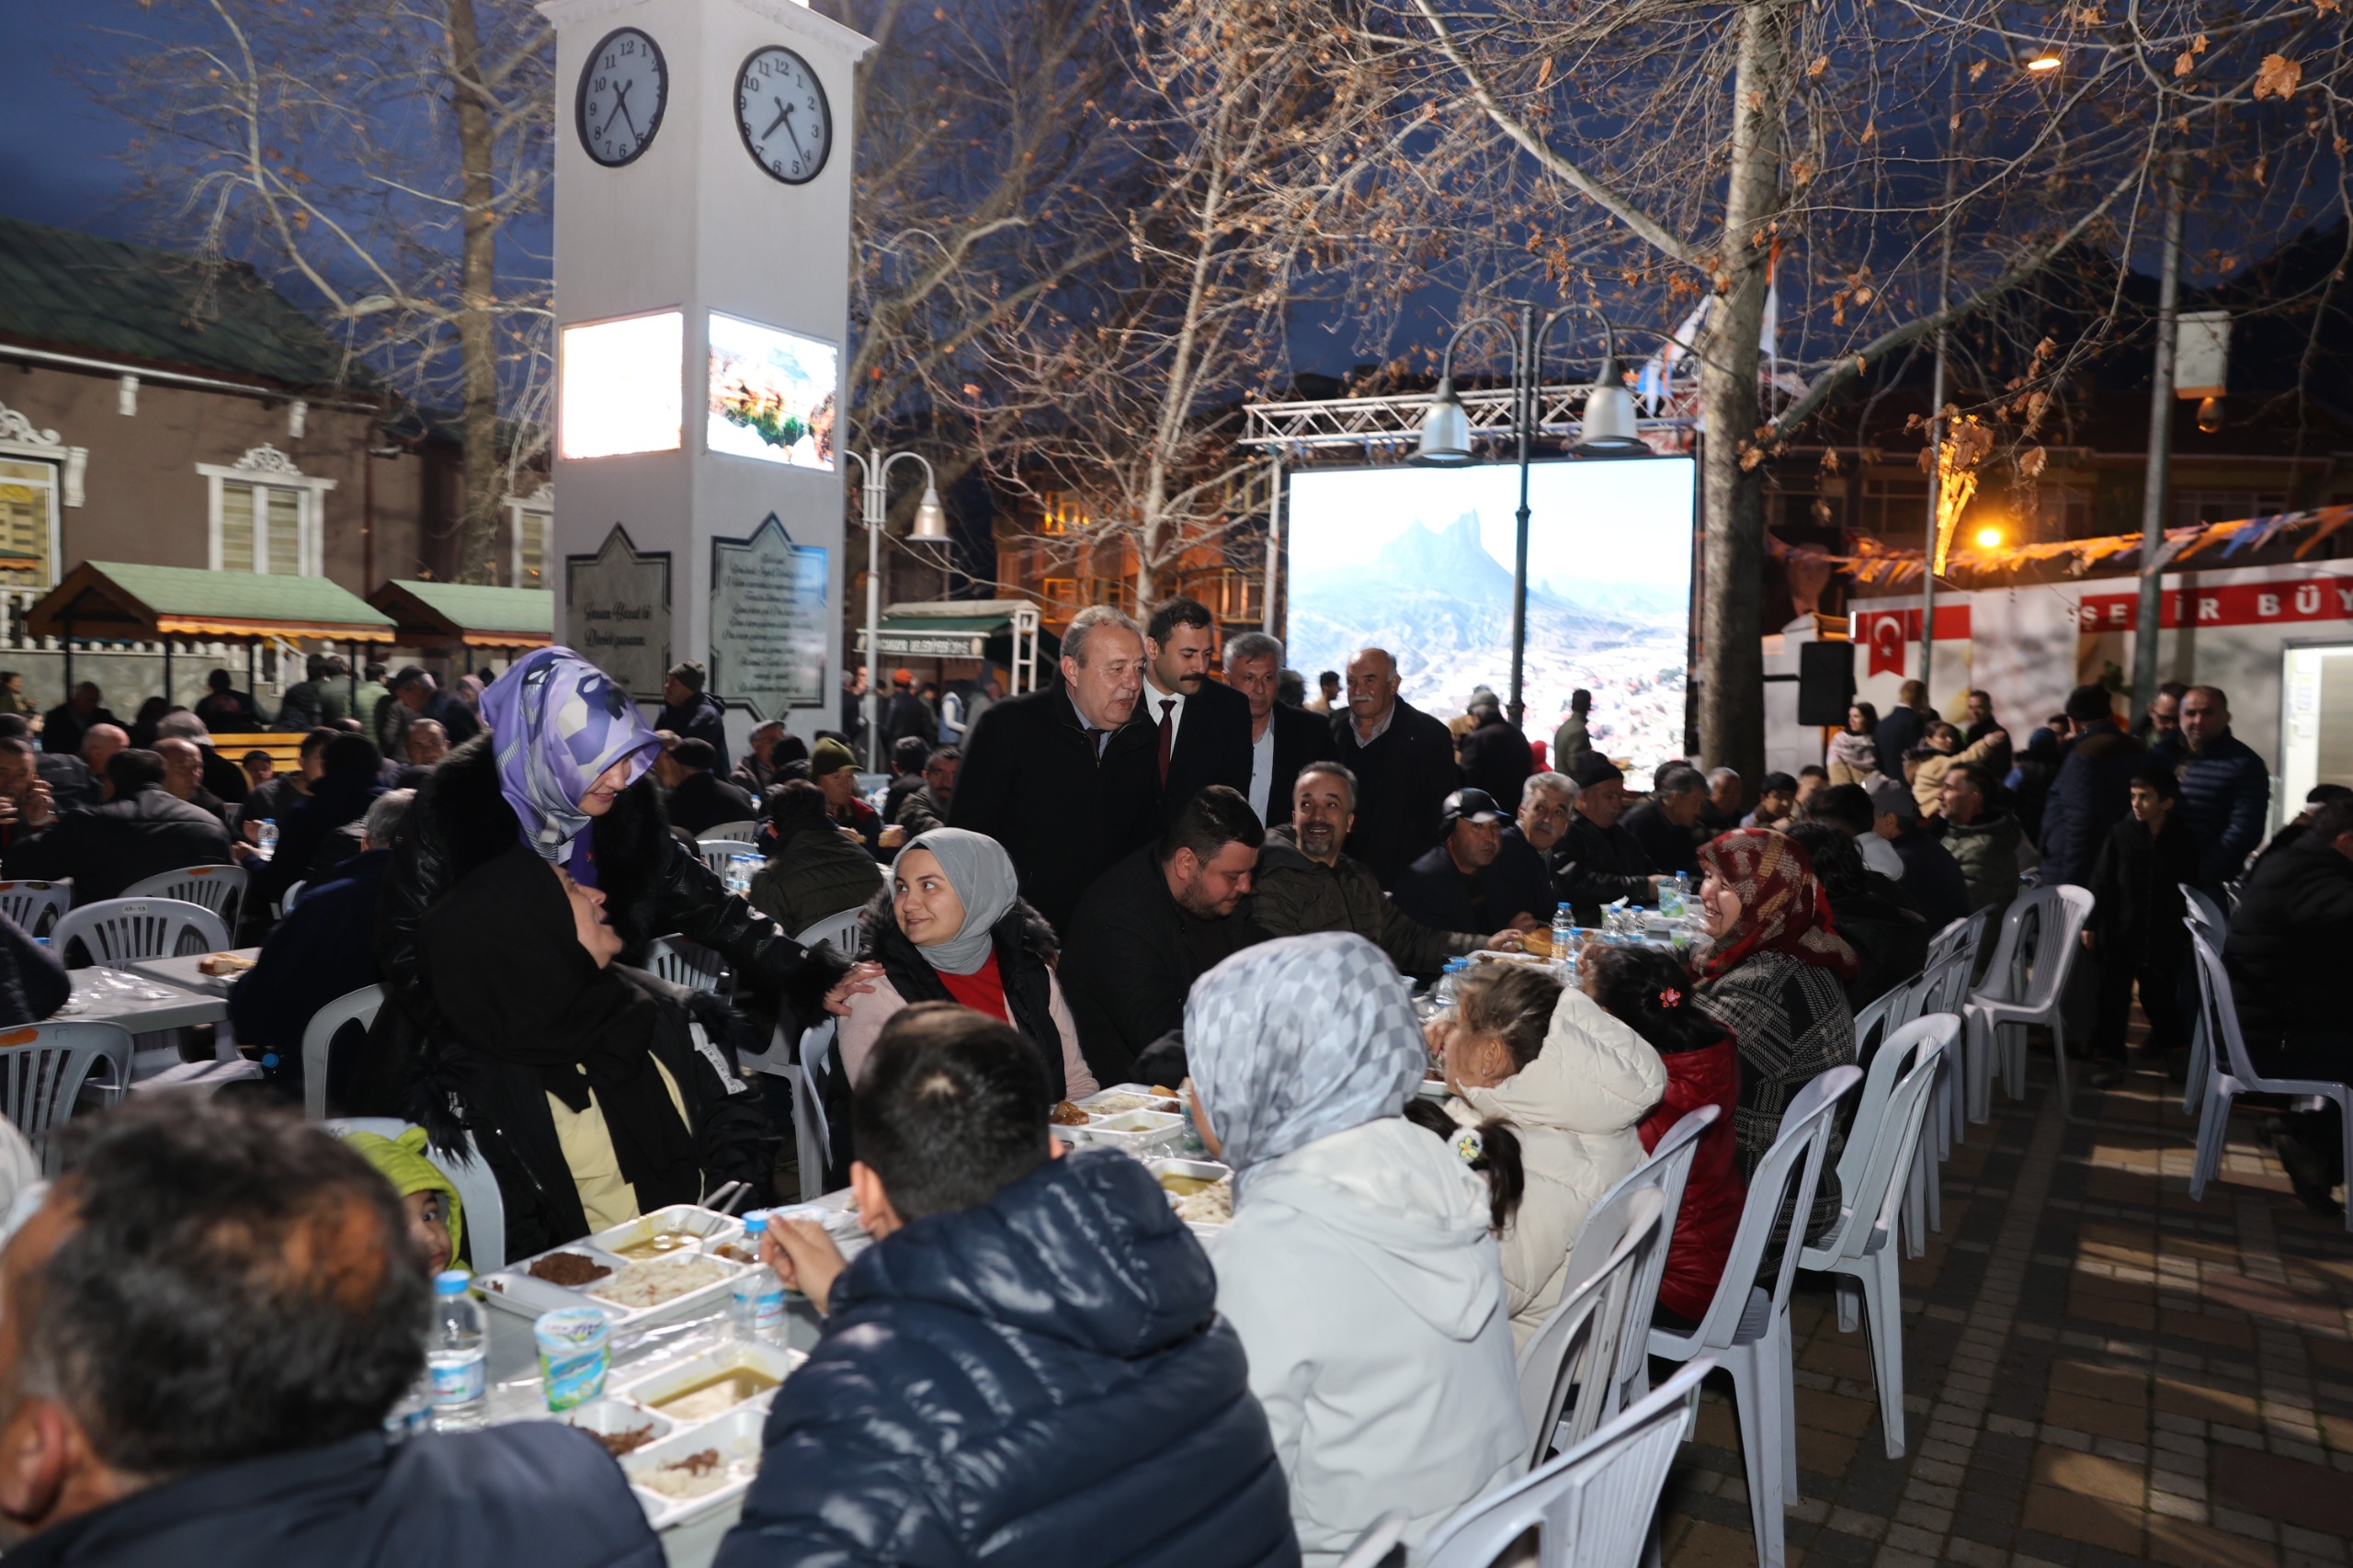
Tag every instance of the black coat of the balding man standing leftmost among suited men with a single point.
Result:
(1034, 783)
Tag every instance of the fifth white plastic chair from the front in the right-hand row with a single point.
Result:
(1872, 1183)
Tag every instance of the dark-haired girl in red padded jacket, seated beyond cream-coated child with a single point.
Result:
(1651, 995)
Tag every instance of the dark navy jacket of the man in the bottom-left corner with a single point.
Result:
(524, 1494)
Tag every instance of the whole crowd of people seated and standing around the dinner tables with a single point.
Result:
(1138, 875)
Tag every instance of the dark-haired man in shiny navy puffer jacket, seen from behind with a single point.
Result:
(1027, 1367)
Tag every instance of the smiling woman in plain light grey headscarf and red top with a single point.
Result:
(952, 926)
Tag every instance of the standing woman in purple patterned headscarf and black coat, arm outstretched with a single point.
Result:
(564, 766)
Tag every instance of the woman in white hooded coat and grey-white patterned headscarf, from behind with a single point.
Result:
(1359, 1265)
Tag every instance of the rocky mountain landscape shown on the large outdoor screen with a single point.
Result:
(1441, 604)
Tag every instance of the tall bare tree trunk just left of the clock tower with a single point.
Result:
(479, 298)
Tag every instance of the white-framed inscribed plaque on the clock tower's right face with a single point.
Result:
(768, 623)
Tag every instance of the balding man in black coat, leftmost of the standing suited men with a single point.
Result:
(1065, 778)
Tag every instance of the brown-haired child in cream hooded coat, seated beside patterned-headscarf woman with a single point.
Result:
(1571, 1084)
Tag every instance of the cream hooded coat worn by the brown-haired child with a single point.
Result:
(1575, 1110)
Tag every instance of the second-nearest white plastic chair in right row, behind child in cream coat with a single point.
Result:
(1573, 1357)
